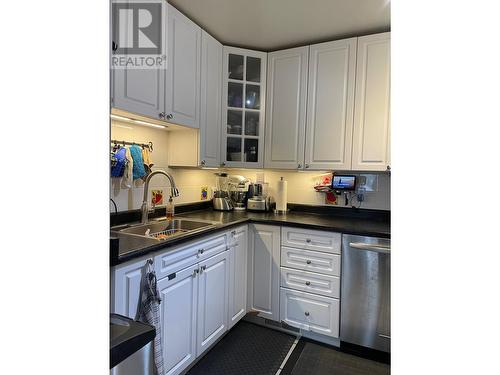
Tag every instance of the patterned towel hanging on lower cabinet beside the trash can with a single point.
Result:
(149, 312)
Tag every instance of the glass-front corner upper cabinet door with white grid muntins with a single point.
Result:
(244, 92)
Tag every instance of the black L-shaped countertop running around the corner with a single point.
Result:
(129, 247)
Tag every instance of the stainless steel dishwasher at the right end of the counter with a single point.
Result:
(366, 292)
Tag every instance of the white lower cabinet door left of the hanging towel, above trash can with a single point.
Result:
(126, 288)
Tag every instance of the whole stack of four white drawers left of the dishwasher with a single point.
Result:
(310, 280)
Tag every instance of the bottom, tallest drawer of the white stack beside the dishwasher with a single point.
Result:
(310, 312)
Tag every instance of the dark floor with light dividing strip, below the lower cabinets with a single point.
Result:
(249, 349)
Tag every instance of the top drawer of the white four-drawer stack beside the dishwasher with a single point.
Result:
(311, 239)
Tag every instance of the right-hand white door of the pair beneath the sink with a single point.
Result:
(212, 300)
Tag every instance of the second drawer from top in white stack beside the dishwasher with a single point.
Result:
(313, 261)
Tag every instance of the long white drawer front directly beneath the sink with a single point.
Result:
(187, 255)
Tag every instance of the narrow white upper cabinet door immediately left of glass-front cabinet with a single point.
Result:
(211, 96)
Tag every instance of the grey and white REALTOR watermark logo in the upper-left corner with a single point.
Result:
(139, 34)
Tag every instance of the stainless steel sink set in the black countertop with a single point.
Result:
(163, 230)
